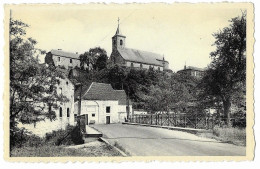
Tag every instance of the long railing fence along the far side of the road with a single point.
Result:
(179, 120)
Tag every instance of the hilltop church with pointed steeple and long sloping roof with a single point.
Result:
(135, 58)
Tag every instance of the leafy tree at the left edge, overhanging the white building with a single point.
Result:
(33, 94)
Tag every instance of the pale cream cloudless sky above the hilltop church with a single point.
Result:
(182, 33)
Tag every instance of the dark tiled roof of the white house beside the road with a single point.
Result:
(101, 91)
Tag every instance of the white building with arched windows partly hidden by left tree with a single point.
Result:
(64, 112)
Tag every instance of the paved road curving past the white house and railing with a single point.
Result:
(150, 141)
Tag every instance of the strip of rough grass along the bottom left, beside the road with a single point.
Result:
(61, 151)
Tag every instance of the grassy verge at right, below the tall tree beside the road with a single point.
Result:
(231, 135)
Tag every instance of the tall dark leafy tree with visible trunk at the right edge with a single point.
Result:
(227, 71)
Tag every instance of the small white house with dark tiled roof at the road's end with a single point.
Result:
(101, 104)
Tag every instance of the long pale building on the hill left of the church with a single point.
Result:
(60, 58)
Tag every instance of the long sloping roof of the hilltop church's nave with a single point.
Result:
(135, 55)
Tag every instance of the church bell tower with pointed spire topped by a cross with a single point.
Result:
(118, 40)
